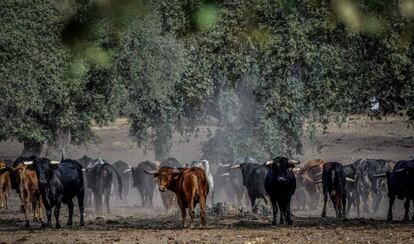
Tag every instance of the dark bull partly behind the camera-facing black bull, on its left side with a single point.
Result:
(253, 176)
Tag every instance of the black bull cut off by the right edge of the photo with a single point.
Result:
(400, 182)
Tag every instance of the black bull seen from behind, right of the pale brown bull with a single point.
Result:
(334, 184)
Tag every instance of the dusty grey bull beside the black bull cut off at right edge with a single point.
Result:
(368, 185)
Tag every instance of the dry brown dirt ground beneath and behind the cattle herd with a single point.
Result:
(128, 223)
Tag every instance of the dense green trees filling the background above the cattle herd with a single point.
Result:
(256, 69)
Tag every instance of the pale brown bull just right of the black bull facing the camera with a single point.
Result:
(307, 176)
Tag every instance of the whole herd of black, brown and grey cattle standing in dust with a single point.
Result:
(43, 184)
